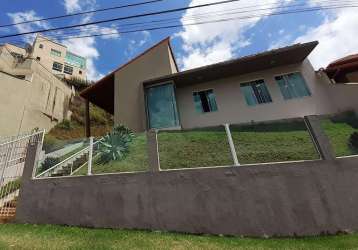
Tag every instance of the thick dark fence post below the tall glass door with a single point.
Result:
(153, 152)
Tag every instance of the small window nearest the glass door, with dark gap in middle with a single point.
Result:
(205, 101)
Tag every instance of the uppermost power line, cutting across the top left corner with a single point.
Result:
(81, 13)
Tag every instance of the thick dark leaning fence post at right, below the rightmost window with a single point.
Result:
(319, 138)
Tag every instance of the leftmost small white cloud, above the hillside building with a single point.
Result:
(27, 16)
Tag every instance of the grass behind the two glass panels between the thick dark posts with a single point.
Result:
(254, 144)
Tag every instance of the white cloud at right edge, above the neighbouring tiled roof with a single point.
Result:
(337, 37)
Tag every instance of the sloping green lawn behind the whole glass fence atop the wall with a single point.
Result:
(258, 143)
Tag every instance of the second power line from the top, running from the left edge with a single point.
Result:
(122, 18)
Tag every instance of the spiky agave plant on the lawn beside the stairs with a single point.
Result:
(114, 146)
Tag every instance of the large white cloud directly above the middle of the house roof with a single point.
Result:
(210, 43)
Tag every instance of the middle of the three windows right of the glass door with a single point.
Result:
(255, 92)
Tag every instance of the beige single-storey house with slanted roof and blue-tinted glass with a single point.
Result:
(149, 92)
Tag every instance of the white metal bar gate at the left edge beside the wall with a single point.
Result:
(12, 162)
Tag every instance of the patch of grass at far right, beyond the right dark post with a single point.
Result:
(339, 133)
